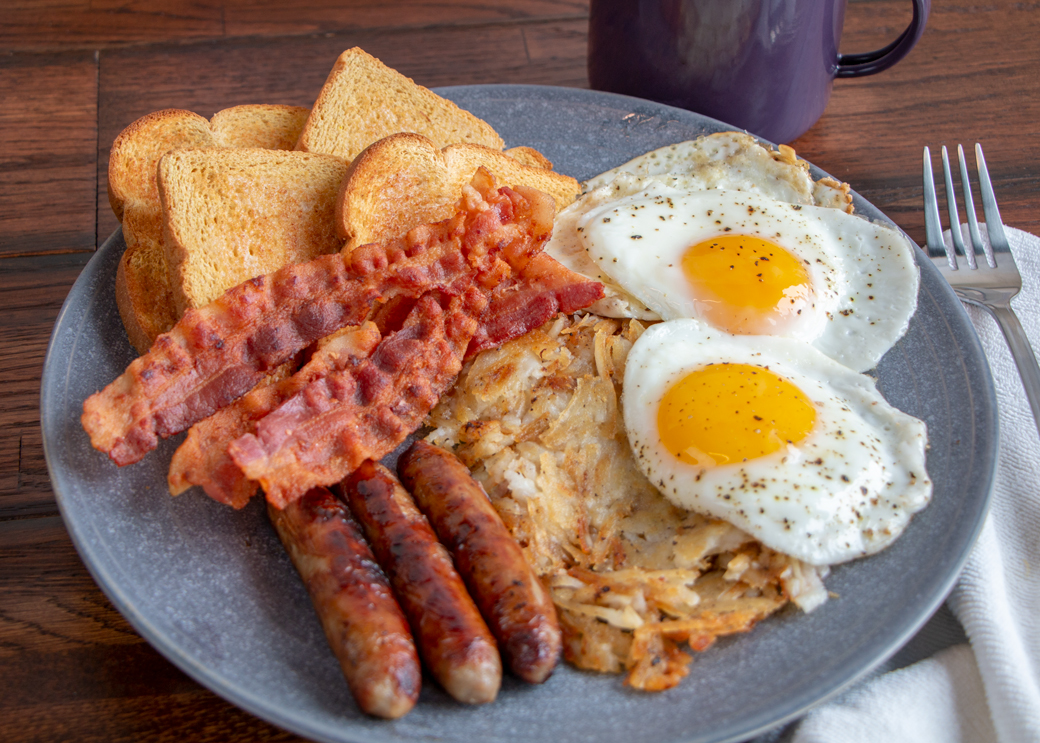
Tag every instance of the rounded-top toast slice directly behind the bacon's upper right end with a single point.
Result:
(405, 181)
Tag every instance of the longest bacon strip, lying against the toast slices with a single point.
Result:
(218, 353)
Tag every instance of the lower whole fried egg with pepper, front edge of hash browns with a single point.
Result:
(774, 438)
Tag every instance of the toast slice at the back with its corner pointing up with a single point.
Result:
(363, 101)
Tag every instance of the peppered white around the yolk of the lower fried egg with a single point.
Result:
(847, 491)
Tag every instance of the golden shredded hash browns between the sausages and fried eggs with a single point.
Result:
(634, 578)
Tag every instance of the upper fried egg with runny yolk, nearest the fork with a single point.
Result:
(746, 264)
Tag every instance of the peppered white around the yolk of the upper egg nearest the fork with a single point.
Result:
(864, 274)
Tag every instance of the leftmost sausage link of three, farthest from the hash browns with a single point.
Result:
(363, 623)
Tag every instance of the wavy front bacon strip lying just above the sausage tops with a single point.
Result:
(366, 412)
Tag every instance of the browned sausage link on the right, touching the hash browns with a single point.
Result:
(509, 594)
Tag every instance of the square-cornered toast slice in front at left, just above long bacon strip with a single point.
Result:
(231, 215)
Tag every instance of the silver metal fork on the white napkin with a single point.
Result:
(993, 285)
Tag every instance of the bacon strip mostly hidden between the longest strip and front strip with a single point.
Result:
(203, 458)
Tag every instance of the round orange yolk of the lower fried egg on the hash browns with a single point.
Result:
(732, 413)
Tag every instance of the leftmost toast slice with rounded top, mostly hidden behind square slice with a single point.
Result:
(143, 291)
